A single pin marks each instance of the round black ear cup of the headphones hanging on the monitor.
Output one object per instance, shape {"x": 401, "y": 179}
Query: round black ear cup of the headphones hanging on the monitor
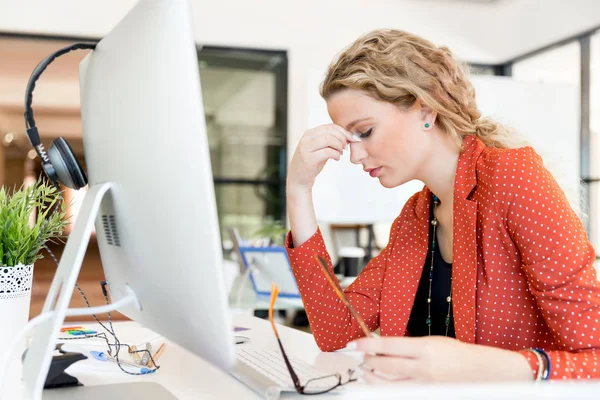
{"x": 67, "y": 167}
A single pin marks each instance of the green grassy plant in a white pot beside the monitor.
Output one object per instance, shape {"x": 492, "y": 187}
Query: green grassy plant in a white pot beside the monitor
{"x": 30, "y": 217}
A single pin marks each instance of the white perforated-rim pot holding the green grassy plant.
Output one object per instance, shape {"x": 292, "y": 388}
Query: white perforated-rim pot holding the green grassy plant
{"x": 15, "y": 301}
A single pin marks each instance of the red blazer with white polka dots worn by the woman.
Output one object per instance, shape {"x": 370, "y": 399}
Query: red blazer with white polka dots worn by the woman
{"x": 523, "y": 272}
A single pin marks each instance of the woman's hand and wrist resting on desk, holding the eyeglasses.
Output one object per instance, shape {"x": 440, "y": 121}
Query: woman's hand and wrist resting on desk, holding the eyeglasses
{"x": 438, "y": 359}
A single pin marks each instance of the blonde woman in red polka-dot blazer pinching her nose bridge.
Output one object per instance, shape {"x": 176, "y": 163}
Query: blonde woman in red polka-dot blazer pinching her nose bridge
{"x": 488, "y": 273}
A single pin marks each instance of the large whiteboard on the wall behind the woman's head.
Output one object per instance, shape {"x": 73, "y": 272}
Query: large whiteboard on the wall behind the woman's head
{"x": 545, "y": 114}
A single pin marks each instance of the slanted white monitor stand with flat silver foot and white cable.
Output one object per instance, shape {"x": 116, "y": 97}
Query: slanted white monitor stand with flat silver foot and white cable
{"x": 56, "y": 308}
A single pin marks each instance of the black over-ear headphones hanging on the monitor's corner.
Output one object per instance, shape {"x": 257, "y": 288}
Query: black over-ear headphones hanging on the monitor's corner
{"x": 60, "y": 163}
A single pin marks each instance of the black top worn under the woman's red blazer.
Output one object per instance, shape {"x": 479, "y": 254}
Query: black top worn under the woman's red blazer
{"x": 440, "y": 289}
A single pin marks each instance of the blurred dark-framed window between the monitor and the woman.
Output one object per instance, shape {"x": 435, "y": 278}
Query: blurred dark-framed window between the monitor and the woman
{"x": 245, "y": 101}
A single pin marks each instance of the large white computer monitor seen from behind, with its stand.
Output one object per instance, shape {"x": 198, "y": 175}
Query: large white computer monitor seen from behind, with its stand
{"x": 151, "y": 186}
